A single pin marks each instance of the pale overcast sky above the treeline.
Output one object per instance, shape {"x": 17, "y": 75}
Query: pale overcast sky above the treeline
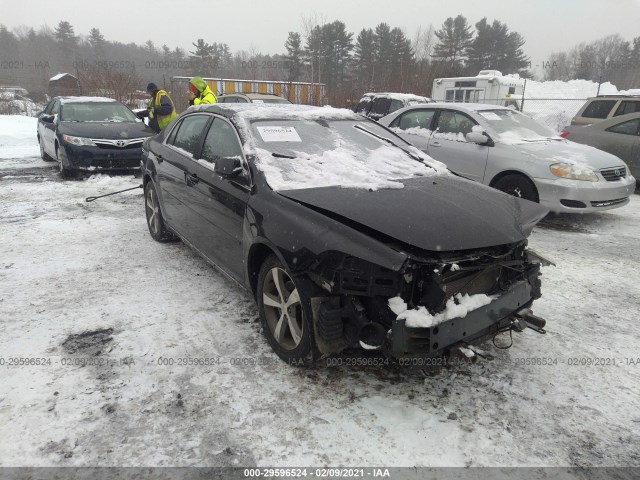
{"x": 547, "y": 25}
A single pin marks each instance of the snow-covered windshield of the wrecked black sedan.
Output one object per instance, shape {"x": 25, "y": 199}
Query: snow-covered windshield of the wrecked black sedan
{"x": 307, "y": 153}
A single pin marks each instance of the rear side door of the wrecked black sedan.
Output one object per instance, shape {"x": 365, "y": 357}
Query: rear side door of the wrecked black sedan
{"x": 174, "y": 158}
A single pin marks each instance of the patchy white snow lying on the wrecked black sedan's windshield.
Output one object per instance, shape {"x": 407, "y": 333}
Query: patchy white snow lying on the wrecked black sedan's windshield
{"x": 373, "y": 170}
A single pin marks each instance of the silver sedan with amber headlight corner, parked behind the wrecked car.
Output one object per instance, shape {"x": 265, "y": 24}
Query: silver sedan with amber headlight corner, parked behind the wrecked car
{"x": 510, "y": 151}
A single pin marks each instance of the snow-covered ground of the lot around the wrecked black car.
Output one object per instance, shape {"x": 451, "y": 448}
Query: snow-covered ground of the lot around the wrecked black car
{"x": 125, "y": 325}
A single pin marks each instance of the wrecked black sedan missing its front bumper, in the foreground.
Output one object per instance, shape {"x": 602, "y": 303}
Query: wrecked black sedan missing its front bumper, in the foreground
{"x": 345, "y": 235}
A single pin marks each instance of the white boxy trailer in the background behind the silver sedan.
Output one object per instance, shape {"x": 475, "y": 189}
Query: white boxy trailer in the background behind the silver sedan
{"x": 489, "y": 86}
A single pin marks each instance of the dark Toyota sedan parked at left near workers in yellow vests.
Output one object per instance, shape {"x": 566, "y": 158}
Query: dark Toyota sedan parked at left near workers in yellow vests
{"x": 91, "y": 134}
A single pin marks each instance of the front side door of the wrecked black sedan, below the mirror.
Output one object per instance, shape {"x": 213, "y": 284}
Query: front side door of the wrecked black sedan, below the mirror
{"x": 220, "y": 201}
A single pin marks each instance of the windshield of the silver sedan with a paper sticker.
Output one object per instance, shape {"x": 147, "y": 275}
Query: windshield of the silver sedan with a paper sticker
{"x": 514, "y": 127}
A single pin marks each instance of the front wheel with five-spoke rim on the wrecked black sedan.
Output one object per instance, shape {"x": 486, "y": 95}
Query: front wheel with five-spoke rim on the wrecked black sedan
{"x": 285, "y": 314}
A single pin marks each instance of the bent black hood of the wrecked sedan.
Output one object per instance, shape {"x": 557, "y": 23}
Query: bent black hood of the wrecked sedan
{"x": 442, "y": 213}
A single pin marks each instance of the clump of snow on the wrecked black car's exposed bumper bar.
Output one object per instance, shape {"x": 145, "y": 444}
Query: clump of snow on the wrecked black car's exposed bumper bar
{"x": 456, "y": 307}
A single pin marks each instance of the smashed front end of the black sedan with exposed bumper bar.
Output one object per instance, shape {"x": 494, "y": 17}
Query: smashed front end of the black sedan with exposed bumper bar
{"x": 498, "y": 284}
